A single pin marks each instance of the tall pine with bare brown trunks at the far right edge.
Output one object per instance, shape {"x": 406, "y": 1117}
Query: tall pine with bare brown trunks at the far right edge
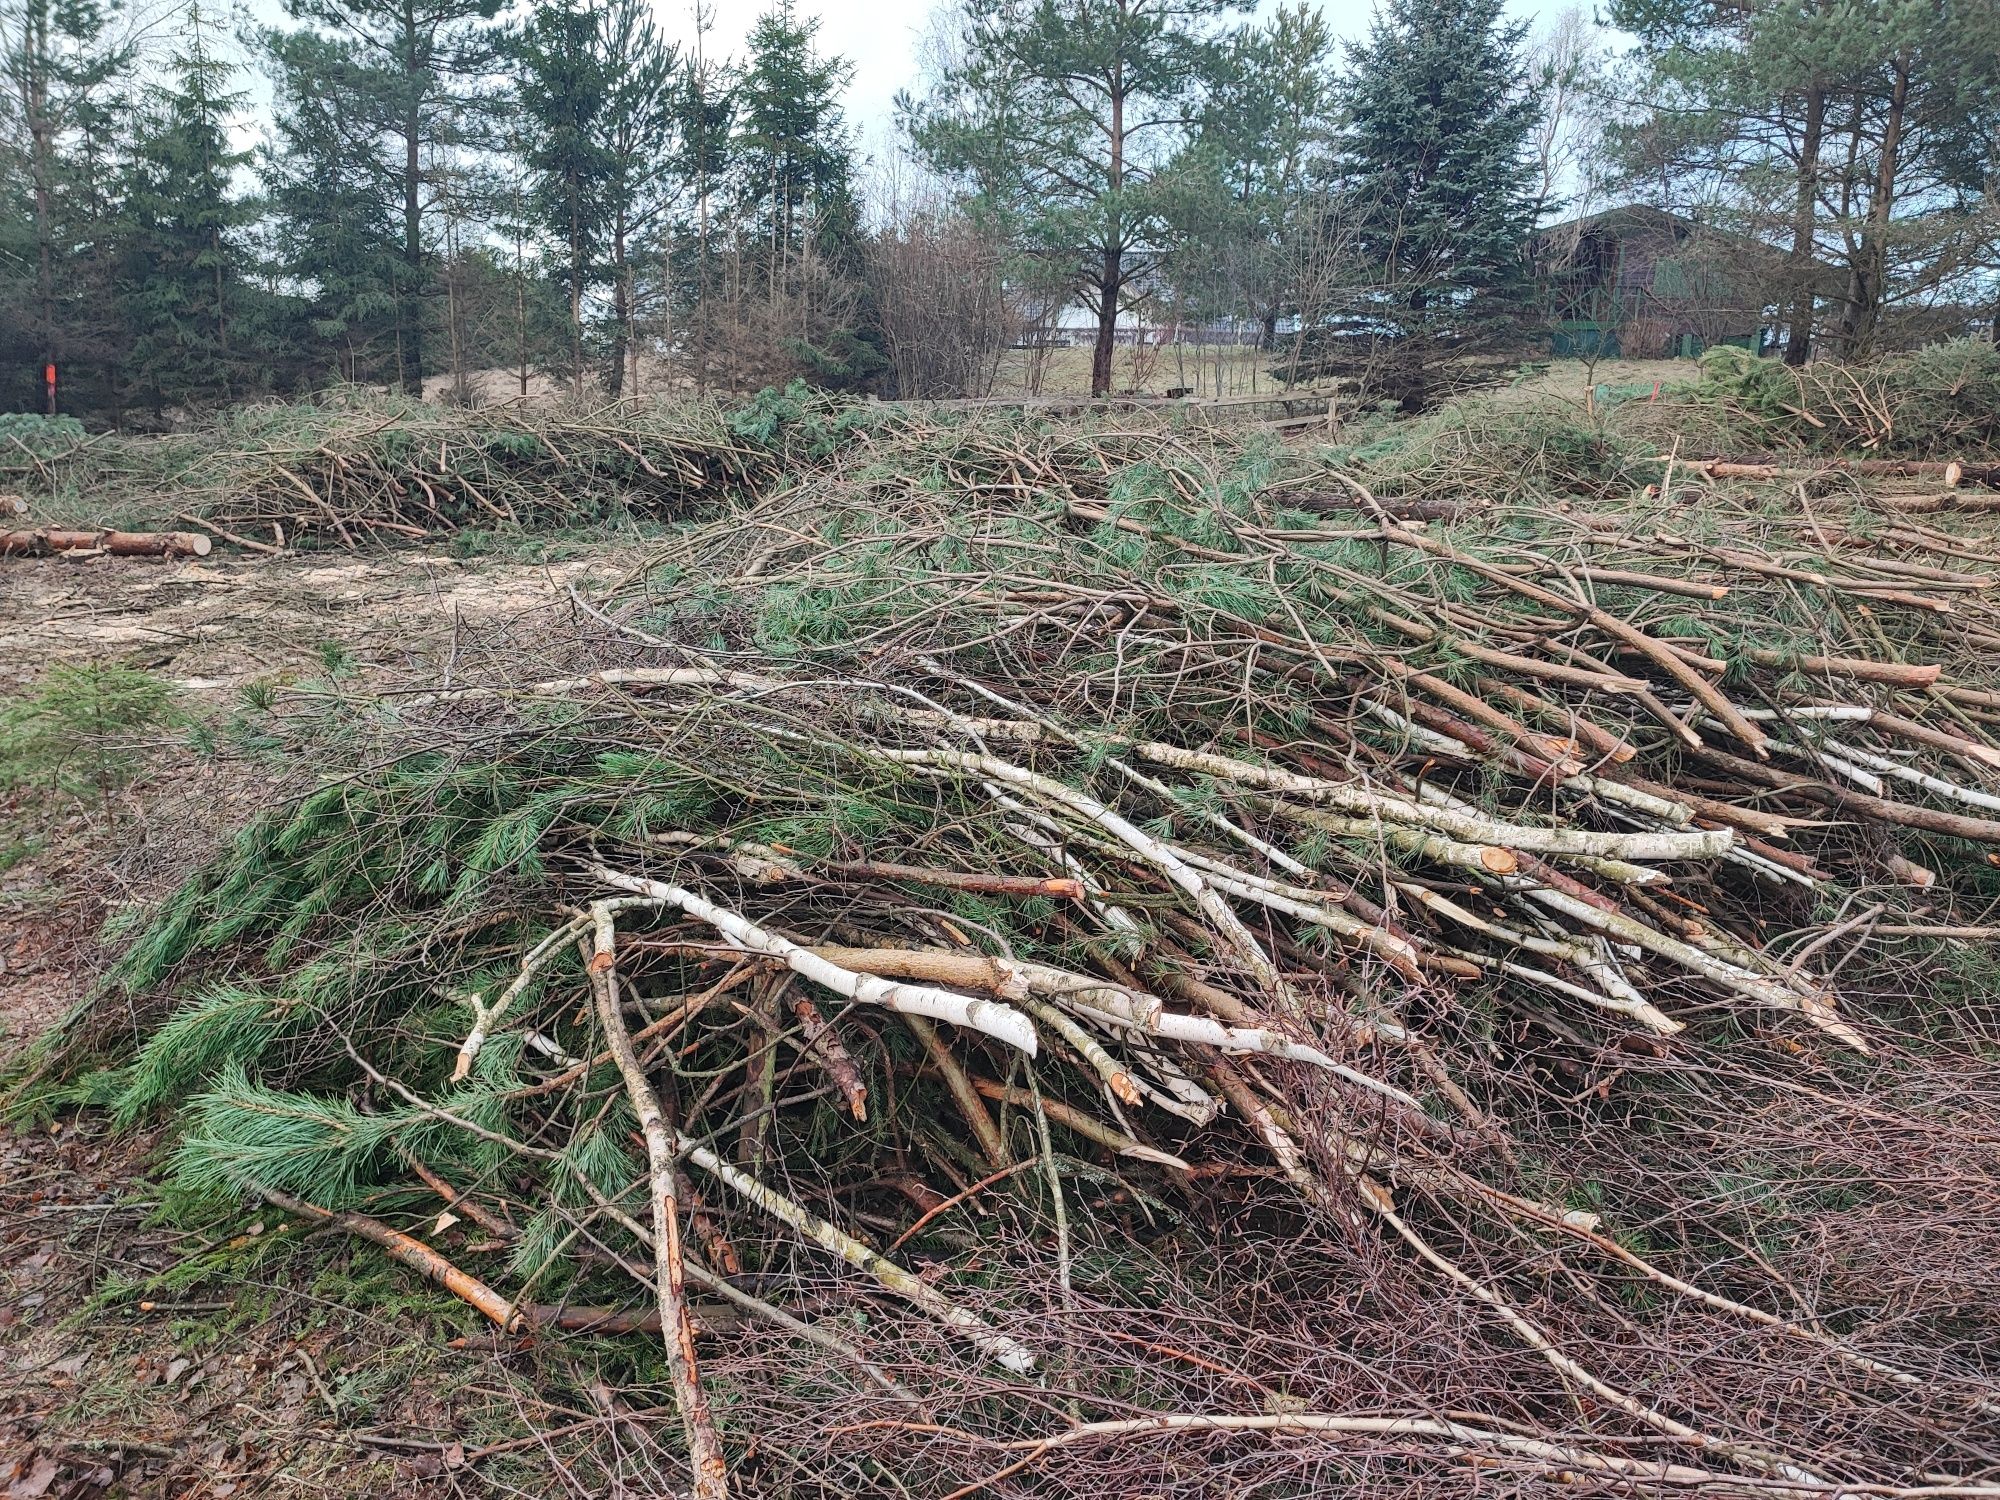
{"x": 1861, "y": 137}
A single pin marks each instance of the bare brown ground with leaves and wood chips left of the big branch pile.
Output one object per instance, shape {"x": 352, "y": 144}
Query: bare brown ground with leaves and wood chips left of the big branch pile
{"x": 237, "y": 1375}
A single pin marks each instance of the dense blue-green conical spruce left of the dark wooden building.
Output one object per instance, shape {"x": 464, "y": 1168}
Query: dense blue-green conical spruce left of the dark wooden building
{"x": 1441, "y": 199}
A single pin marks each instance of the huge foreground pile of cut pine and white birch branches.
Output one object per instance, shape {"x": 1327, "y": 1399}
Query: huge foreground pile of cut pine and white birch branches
{"x": 1101, "y": 967}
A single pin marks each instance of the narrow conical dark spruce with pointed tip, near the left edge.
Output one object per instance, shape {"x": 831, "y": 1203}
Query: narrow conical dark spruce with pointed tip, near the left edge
{"x": 181, "y": 265}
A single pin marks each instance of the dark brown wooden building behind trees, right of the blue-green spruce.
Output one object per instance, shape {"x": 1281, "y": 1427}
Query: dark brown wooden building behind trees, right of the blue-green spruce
{"x": 1643, "y": 283}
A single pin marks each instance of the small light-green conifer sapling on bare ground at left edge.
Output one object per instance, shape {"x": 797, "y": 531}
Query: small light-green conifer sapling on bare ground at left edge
{"x": 83, "y": 731}
